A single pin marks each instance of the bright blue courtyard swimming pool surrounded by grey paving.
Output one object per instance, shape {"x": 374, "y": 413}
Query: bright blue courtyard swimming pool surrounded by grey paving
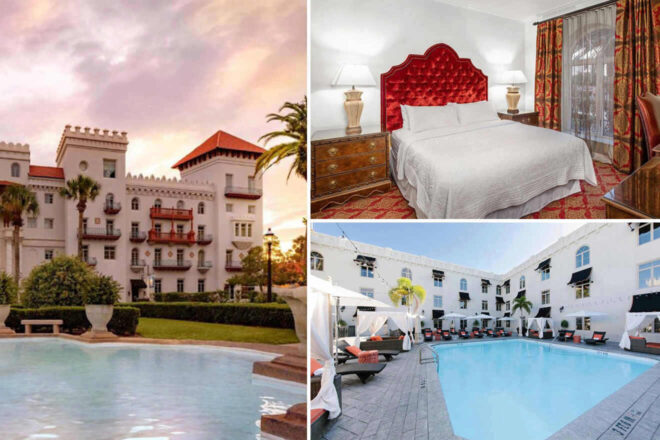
{"x": 524, "y": 390}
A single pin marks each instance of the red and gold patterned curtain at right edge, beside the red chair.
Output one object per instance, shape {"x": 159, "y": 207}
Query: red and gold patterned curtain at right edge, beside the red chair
{"x": 636, "y": 59}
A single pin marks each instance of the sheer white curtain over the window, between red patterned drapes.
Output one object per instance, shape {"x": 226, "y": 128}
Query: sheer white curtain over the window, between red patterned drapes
{"x": 588, "y": 79}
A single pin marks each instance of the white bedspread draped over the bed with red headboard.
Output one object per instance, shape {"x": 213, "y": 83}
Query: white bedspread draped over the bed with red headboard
{"x": 471, "y": 171}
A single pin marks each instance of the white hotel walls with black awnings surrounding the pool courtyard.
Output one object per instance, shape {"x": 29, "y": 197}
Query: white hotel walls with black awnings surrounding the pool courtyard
{"x": 597, "y": 268}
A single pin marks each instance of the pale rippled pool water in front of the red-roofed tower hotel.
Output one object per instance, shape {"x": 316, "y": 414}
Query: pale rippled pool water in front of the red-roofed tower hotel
{"x": 58, "y": 389}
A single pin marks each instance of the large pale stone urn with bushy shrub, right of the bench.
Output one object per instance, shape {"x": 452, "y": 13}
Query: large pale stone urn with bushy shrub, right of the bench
{"x": 99, "y": 306}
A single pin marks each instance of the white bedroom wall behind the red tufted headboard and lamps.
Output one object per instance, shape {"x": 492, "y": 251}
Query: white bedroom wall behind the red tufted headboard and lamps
{"x": 382, "y": 33}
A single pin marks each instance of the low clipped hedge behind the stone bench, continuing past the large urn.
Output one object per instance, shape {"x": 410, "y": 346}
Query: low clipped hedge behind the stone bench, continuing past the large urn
{"x": 124, "y": 319}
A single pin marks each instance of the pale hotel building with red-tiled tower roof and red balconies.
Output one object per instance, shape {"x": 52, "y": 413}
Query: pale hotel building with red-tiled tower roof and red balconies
{"x": 185, "y": 235}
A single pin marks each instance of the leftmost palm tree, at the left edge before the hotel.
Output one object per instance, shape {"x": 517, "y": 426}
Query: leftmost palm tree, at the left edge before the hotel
{"x": 15, "y": 201}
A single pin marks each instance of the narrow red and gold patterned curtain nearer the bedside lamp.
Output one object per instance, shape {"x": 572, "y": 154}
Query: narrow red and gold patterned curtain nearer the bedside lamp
{"x": 547, "y": 88}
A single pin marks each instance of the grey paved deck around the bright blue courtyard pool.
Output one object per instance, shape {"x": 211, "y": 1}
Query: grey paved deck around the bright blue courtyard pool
{"x": 405, "y": 401}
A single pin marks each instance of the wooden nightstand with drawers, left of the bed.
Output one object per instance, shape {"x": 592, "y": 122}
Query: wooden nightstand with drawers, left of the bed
{"x": 348, "y": 166}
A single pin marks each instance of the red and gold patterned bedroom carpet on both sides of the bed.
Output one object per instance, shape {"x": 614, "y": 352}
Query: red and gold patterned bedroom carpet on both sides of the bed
{"x": 392, "y": 205}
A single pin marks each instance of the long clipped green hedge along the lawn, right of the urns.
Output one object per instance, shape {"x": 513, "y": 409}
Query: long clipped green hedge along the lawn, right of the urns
{"x": 262, "y": 315}
